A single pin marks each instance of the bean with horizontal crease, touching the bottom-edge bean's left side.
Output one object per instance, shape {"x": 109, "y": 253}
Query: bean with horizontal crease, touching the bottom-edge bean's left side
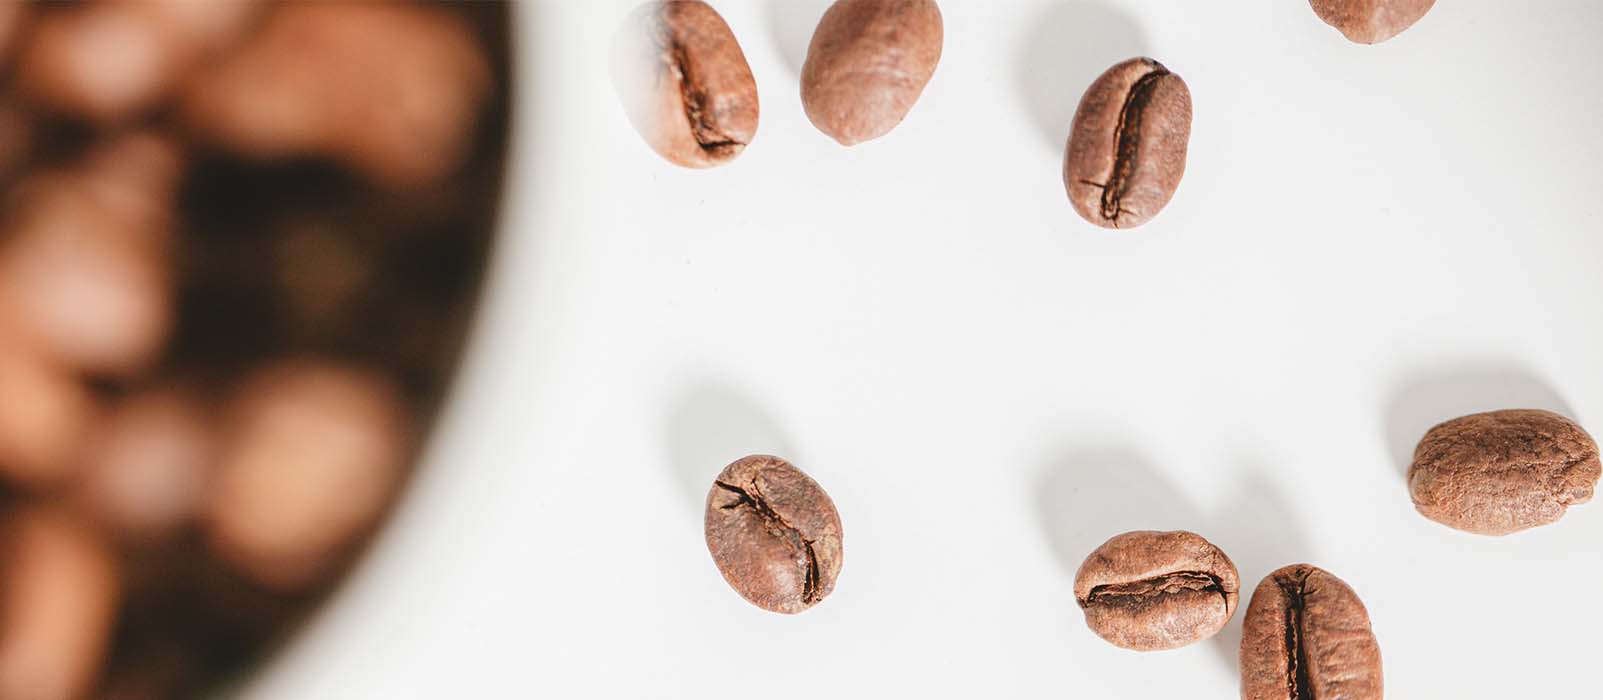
{"x": 1157, "y": 590}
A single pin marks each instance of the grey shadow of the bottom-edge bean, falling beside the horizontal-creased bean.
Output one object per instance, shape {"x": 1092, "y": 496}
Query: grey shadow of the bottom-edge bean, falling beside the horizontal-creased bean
{"x": 1261, "y": 533}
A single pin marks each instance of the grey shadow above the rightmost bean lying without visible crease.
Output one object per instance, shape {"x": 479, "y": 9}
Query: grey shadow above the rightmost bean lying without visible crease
{"x": 1435, "y": 398}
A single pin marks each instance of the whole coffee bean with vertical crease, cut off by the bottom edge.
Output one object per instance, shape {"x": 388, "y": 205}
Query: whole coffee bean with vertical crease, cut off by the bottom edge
{"x": 1307, "y": 638}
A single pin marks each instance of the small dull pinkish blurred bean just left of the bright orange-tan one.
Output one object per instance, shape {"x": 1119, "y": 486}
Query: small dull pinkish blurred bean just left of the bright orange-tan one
{"x": 147, "y": 465}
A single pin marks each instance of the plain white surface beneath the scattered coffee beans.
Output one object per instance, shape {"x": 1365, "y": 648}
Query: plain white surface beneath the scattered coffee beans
{"x": 1370, "y": 239}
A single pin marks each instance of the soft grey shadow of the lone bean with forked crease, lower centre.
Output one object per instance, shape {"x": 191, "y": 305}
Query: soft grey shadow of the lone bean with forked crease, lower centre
{"x": 708, "y": 427}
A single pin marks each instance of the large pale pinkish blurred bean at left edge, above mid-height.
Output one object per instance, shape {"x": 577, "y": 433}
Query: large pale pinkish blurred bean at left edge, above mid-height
{"x": 86, "y": 268}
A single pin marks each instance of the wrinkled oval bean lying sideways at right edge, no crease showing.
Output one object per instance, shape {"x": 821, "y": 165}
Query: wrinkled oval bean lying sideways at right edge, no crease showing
{"x": 1503, "y": 472}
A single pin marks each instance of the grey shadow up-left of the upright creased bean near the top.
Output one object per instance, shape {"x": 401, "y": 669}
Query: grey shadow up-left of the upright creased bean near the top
{"x": 1068, "y": 47}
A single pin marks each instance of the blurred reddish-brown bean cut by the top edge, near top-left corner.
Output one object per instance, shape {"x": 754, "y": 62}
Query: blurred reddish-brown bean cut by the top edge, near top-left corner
{"x": 110, "y": 62}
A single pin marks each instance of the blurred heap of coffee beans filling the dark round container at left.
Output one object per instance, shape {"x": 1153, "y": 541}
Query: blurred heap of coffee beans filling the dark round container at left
{"x": 240, "y": 246}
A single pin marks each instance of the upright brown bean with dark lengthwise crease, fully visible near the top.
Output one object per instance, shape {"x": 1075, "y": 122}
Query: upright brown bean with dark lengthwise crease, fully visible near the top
{"x": 1128, "y": 150}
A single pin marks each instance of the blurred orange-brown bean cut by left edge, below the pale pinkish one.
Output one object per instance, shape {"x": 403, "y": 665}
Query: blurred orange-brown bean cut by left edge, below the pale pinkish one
{"x": 44, "y": 416}
